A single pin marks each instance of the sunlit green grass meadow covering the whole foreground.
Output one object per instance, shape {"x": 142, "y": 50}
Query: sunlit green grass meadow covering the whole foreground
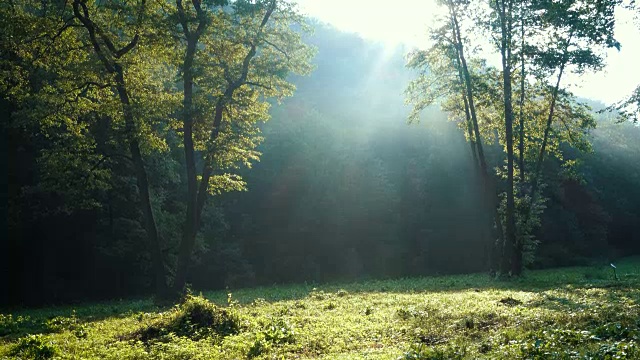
{"x": 569, "y": 313}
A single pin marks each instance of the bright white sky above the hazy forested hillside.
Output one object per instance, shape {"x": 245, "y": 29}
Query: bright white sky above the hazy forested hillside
{"x": 406, "y": 21}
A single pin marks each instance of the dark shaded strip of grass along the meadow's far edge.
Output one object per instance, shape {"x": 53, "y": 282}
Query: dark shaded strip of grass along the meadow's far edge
{"x": 61, "y": 318}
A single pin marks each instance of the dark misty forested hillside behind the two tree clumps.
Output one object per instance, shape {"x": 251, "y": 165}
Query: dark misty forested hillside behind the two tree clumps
{"x": 344, "y": 189}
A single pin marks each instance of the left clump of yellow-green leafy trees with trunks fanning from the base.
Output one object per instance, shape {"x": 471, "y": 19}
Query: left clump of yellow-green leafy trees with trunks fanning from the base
{"x": 129, "y": 57}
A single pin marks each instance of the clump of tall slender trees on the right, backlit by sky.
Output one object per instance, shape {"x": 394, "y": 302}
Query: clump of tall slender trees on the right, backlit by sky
{"x": 566, "y": 35}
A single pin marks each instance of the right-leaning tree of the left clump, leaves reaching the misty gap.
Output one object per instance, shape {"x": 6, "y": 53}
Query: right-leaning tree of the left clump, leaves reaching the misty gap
{"x": 236, "y": 74}
